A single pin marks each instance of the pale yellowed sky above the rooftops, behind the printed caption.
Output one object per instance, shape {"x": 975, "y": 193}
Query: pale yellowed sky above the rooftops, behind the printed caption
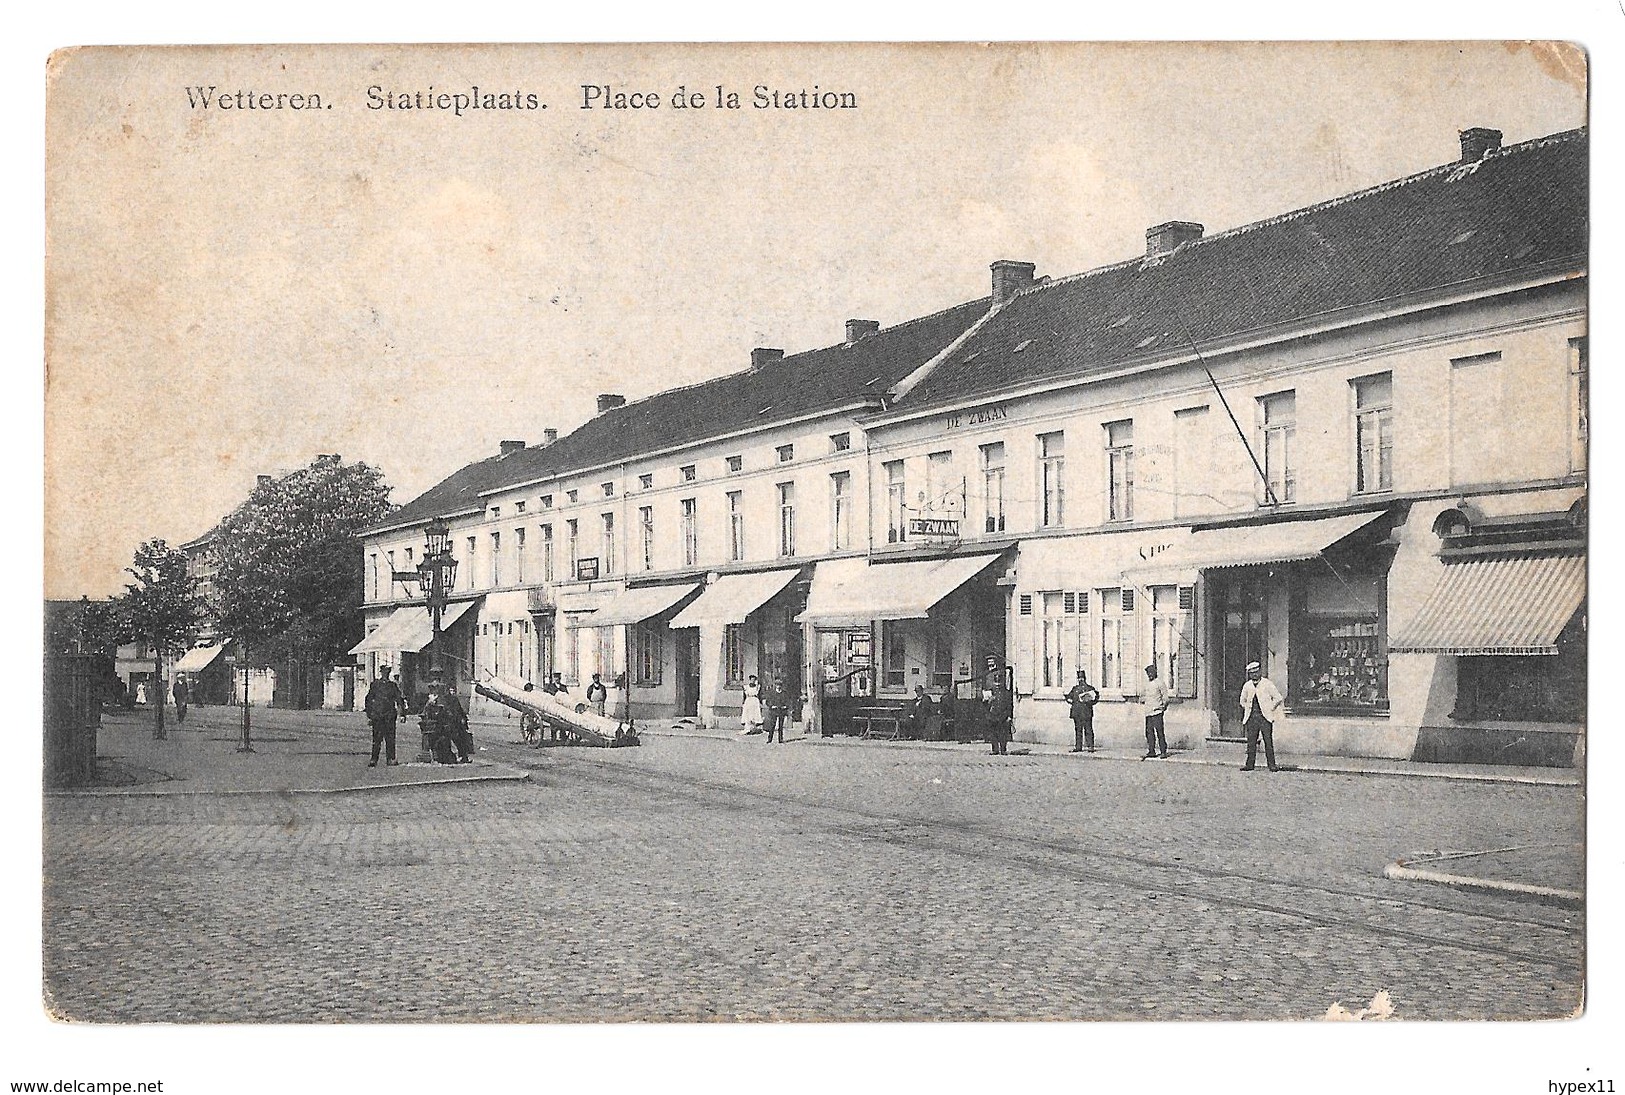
{"x": 235, "y": 292}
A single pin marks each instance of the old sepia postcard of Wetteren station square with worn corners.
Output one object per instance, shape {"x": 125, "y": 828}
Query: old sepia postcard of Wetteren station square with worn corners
{"x": 622, "y": 534}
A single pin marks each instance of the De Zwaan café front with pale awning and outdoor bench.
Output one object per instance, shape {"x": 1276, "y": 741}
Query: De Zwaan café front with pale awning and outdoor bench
{"x": 882, "y": 631}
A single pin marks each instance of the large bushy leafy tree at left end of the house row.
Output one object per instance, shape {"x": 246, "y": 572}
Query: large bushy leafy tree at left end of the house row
{"x": 288, "y": 566}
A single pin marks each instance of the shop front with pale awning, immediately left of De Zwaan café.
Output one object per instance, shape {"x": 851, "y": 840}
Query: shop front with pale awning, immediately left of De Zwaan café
{"x": 740, "y": 626}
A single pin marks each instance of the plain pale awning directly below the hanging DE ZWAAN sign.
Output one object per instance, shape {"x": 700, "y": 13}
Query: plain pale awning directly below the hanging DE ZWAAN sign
{"x": 851, "y": 592}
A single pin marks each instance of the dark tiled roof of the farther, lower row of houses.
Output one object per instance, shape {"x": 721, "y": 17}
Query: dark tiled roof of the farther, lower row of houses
{"x": 781, "y": 391}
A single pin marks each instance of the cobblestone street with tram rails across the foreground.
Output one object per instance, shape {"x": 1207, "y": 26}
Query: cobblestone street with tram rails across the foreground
{"x": 730, "y": 880}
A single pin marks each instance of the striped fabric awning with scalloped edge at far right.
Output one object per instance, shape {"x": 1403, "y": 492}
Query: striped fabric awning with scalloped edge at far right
{"x": 1502, "y": 605}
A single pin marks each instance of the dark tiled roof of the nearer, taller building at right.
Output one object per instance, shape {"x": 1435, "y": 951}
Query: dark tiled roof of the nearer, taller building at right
{"x": 1515, "y": 210}
